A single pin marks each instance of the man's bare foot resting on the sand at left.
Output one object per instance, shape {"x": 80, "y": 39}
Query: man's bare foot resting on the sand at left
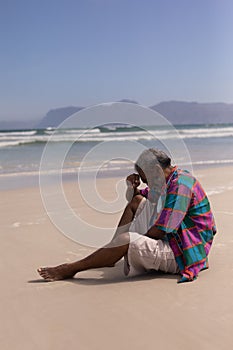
{"x": 56, "y": 273}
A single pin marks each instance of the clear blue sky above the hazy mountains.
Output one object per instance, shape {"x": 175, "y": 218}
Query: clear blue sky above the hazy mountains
{"x": 57, "y": 53}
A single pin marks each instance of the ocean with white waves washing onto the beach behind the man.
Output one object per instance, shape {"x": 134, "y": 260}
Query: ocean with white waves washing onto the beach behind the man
{"x": 107, "y": 150}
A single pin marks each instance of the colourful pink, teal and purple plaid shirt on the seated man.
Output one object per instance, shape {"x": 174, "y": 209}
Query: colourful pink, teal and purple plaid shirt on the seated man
{"x": 188, "y": 222}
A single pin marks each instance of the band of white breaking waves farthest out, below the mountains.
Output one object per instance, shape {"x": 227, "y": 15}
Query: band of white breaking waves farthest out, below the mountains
{"x": 101, "y": 134}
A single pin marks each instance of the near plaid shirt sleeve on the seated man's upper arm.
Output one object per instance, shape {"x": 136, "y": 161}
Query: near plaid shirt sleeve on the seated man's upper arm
{"x": 176, "y": 205}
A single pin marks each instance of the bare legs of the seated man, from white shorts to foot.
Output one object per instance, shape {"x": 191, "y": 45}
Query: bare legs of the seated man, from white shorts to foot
{"x": 103, "y": 257}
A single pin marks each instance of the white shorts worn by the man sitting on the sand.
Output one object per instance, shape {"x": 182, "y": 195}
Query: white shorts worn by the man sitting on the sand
{"x": 144, "y": 253}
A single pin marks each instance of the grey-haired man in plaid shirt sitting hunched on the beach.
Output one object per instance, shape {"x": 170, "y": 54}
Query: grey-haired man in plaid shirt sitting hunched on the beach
{"x": 168, "y": 226}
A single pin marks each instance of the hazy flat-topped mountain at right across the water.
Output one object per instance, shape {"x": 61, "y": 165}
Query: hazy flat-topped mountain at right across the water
{"x": 195, "y": 113}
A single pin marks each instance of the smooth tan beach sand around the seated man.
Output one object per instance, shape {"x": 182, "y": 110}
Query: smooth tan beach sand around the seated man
{"x": 102, "y": 309}
